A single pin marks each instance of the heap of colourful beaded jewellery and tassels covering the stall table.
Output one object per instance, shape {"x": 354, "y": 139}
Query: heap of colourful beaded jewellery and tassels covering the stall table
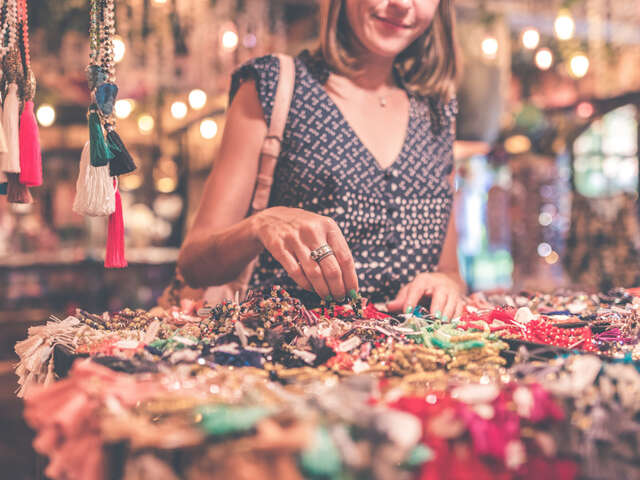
{"x": 267, "y": 388}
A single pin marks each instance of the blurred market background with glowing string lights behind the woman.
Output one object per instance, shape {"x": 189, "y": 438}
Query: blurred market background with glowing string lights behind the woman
{"x": 547, "y": 151}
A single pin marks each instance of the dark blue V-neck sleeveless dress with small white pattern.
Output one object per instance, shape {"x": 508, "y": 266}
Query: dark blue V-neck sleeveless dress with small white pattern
{"x": 394, "y": 219}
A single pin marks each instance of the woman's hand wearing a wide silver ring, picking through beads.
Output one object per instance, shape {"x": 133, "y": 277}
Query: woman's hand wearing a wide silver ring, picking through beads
{"x": 290, "y": 234}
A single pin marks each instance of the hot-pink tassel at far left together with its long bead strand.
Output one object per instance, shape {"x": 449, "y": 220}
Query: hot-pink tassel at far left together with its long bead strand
{"x": 29, "y": 137}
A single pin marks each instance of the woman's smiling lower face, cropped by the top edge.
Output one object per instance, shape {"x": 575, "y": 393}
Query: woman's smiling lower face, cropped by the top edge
{"x": 387, "y": 27}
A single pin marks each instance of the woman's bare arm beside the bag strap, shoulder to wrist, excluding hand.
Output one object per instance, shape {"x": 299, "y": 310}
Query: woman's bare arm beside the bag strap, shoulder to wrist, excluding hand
{"x": 221, "y": 241}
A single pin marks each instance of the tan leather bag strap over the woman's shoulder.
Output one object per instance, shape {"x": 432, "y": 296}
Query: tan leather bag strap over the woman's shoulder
{"x": 273, "y": 141}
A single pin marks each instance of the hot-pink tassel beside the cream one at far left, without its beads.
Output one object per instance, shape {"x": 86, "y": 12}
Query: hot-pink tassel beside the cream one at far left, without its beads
{"x": 30, "y": 154}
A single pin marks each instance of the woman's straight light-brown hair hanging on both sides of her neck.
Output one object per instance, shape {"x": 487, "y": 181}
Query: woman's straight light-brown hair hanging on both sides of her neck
{"x": 429, "y": 66}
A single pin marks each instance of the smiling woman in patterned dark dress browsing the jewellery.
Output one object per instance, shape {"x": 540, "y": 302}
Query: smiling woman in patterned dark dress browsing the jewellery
{"x": 365, "y": 166}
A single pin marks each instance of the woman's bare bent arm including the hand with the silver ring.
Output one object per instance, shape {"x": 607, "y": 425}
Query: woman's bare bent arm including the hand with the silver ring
{"x": 222, "y": 242}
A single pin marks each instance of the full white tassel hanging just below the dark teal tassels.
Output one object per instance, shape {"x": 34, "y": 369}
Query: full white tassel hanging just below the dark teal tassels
{"x": 95, "y": 193}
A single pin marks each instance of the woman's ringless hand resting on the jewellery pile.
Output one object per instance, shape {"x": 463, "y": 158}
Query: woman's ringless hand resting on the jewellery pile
{"x": 445, "y": 289}
